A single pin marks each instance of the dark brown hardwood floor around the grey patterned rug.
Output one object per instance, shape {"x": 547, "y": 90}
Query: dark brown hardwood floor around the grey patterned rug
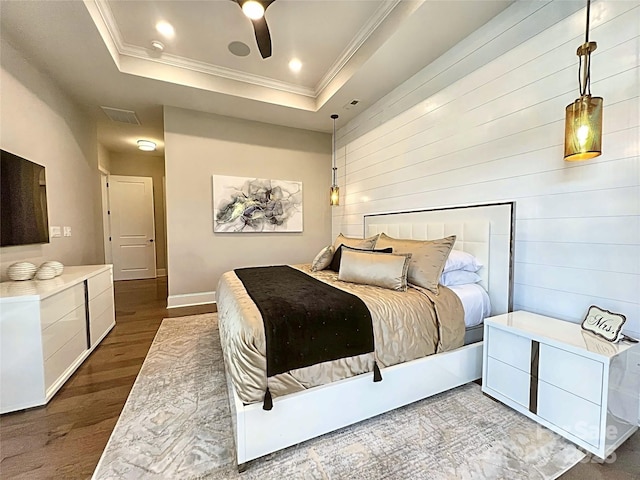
{"x": 65, "y": 438}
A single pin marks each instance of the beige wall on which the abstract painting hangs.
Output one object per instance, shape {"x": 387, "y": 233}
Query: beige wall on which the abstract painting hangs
{"x": 198, "y": 146}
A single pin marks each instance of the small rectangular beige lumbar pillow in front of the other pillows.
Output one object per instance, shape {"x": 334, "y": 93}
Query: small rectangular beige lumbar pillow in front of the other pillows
{"x": 386, "y": 270}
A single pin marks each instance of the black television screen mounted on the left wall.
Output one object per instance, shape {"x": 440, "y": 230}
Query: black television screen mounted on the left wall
{"x": 23, "y": 202}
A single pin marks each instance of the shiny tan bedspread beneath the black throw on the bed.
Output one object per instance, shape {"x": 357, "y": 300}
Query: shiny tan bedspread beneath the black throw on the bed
{"x": 406, "y": 325}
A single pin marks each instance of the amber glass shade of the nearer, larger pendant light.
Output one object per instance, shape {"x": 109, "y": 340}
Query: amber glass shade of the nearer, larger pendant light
{"x": 583, "y": 129}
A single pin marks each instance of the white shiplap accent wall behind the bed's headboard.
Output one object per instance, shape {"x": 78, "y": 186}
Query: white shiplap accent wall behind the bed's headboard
{"x": 495, "y": 133}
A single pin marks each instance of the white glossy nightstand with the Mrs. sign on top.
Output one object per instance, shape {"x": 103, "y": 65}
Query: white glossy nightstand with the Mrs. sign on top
{"x": 576, "y": 384}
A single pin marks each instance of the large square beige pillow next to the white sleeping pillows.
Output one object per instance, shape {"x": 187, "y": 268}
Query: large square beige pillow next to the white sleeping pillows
{"x": 427, "y": 260}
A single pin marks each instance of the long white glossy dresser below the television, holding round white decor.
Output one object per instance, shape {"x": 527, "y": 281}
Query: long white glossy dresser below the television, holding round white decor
{"x": 48, "y": 328}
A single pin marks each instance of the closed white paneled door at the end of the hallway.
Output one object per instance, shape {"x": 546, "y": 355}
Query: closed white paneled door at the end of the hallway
{"x": 132, "y": 227}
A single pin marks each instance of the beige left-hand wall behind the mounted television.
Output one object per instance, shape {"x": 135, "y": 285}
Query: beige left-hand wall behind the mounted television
{"x": 41, "y": 124}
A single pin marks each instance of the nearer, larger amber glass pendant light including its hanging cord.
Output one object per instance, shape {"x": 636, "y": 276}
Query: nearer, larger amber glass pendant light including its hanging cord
{"x": 583, "y": 120}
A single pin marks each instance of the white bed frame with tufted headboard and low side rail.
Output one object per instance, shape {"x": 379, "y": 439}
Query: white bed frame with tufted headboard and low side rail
{"x": 486, "y": 231}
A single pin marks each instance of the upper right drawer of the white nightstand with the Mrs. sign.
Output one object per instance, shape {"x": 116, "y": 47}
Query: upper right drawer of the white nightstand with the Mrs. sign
{"x": 571, "y": 372}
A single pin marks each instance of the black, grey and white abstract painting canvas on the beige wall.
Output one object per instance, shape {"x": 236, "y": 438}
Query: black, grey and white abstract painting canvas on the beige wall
{"x": 242, "y": 204}
